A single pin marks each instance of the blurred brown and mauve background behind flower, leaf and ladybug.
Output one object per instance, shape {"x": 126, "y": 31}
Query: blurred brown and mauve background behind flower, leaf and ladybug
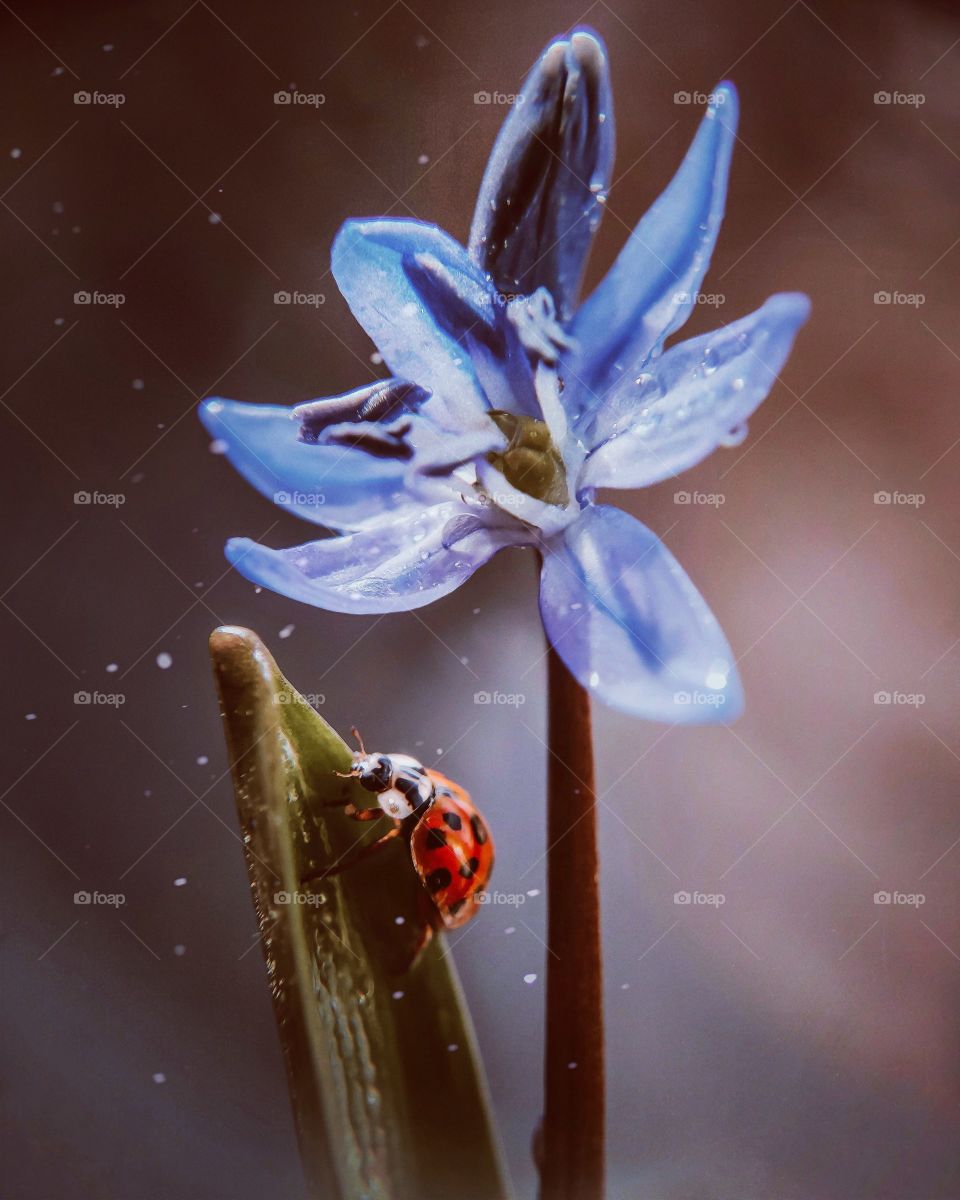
{"x": 799, "y": 1040}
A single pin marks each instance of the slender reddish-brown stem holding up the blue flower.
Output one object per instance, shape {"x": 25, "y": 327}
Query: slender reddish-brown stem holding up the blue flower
{"x": 573, "y": 1133}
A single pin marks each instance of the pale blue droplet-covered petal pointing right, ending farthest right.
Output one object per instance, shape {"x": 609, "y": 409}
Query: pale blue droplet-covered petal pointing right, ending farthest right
{"x": 698, "y": 397}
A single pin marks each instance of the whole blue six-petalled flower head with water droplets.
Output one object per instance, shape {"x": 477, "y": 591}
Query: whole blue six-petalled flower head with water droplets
{"x": 509, "y": 404}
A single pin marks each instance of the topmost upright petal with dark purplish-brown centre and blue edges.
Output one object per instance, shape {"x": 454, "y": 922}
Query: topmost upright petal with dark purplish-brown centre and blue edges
{"x": 544, "y": 188}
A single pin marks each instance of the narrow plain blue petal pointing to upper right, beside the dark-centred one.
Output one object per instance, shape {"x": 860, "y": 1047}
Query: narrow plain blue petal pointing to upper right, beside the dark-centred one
{"x": 651, "y": 290}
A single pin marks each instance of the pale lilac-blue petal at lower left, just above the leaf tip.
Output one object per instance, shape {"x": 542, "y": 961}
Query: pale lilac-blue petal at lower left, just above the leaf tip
{"x": 391, "y": 567}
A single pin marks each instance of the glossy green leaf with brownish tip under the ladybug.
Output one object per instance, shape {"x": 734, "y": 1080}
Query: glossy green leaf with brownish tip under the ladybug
{"x": 385, "y": 1108}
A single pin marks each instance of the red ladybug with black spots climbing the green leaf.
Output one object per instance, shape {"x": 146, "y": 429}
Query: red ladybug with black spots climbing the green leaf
{"x": 449, "y": 842}
